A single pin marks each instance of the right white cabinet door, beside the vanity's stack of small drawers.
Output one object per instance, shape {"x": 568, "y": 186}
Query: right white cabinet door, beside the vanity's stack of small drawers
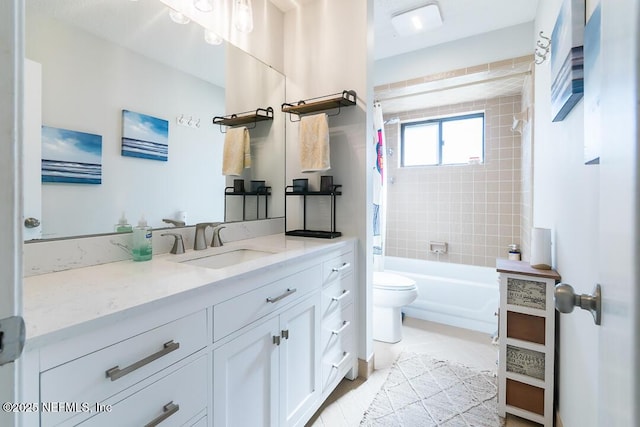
{"x": 299, "y": 360}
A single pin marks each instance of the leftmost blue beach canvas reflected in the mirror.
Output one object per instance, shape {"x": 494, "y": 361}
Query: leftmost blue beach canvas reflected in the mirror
{"x": 72, "y": 157}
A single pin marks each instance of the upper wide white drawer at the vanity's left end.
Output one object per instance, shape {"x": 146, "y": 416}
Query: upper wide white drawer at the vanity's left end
{"x": 91, "y": 378}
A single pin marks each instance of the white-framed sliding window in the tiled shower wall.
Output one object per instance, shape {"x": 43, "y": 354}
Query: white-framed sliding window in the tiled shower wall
{"x": 443, "y": 141}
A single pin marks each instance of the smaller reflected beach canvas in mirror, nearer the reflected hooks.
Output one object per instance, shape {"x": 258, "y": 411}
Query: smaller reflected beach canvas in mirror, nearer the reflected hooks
{"x": 145, "y": 137}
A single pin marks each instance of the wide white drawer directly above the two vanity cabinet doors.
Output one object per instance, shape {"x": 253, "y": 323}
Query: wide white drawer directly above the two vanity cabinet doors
{"x": 231, "y": 315}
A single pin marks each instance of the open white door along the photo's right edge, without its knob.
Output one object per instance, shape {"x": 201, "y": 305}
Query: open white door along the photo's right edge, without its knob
{"x": 619, "y": 376}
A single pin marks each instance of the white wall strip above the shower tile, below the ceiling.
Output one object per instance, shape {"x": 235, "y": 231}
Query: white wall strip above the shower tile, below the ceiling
{"x": 506, "y": 43}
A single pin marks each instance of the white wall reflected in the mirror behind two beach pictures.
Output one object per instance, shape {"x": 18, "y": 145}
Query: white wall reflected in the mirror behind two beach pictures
{"x": 87, "y": 82}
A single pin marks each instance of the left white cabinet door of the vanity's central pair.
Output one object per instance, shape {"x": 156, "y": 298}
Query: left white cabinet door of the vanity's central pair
{"x": 246, "y": 372}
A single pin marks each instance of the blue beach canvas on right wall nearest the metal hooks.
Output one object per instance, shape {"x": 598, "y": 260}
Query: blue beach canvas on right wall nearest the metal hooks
{"x": 567, "y": 59}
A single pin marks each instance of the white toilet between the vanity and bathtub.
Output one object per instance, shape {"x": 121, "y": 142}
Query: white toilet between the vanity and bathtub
{"x": 390, "y": 293}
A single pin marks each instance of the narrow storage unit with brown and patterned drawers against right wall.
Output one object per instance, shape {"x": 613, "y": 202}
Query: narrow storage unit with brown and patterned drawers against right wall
{"x": 527, "y": 333}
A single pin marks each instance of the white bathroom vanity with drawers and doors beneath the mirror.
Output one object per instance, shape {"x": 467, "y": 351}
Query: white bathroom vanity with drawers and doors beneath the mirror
{"x": 261, "y": 346}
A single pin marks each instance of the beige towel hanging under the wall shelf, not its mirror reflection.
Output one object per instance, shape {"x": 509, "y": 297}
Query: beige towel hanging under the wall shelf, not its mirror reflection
{"x": 314, "y": 143}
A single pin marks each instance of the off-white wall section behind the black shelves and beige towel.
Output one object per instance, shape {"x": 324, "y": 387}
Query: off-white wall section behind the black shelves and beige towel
{"x": 327, "y": 50}
